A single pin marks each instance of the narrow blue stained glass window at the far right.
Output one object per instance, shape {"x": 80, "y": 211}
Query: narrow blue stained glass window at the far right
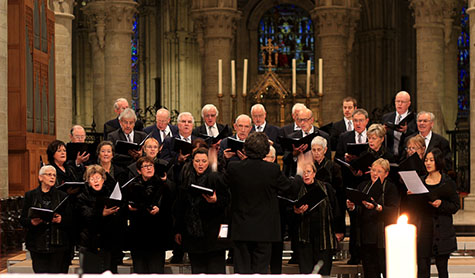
{"x": 464, "y": 66}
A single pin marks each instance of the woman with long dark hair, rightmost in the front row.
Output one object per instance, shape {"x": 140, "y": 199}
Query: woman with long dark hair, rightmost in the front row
{"x": 433, "y": 216}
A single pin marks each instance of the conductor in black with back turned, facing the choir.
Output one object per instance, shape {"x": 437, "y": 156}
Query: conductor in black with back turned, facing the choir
{"x": 254, "y": 185}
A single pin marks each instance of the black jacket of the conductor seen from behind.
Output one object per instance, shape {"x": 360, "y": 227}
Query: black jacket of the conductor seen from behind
{"x": 254, "y": 186}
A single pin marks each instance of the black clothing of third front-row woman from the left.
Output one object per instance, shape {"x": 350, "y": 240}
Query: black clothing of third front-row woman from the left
{"x": 149, "y": 235}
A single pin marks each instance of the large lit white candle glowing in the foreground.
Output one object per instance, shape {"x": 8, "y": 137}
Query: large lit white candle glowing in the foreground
{"x": 401, "y": 249}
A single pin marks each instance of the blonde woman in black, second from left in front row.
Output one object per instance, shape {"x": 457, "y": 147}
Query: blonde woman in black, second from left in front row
{"x": 101, "y": 226}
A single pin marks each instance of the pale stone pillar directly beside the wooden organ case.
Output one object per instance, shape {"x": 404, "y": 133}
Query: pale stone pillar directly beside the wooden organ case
{"x": 63, "y": 14}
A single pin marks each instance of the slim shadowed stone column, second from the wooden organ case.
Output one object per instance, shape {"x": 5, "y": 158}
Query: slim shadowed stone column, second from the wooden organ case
{"x": 96, "y": 14}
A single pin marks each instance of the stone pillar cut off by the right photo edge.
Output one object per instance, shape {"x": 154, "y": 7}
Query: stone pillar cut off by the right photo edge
{"x": 469, "y": 201}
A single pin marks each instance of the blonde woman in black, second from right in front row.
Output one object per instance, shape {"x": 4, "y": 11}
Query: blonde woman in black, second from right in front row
{"x": 372, "y": 217}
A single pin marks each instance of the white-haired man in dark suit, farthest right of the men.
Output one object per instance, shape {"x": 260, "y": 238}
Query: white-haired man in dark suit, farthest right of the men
{"x": 425, "y": 123}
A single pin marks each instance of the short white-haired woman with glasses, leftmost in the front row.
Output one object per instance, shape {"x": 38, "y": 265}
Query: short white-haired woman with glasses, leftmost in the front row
{"x": 47, "y": 241}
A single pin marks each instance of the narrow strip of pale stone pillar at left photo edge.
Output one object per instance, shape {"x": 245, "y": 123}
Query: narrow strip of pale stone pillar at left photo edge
{"x": 4, "y": 99}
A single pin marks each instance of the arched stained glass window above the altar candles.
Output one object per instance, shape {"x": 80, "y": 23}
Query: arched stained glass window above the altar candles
{"x": 291, "y": 28}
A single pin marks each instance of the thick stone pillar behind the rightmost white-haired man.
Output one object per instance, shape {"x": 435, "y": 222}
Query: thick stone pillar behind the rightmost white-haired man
{"x": 430, "y": 47}
